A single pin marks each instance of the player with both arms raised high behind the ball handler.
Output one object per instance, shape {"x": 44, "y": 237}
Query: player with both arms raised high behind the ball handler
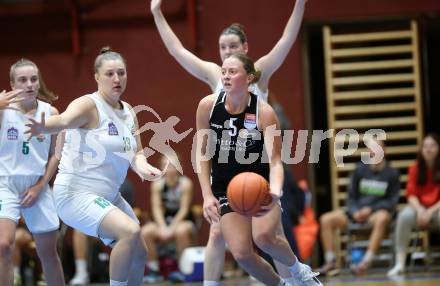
{"x": 232, "y": 40}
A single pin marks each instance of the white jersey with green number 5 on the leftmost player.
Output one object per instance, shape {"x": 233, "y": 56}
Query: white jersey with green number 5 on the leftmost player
{"x": 18, "y": 155}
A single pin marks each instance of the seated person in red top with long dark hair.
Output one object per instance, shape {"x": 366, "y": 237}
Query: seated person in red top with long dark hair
{"x": 423, "y": 194}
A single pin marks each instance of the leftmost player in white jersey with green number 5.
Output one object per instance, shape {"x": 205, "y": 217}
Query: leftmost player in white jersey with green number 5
{"x": 26, "y": 167}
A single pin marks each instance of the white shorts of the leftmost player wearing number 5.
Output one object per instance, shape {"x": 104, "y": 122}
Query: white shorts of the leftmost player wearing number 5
{"x": 41, "y": 217}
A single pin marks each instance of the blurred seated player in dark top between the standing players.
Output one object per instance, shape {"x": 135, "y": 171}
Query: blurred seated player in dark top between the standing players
{"x": 171, "y": 198}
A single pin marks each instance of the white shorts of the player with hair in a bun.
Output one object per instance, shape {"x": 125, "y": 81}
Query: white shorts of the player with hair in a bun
{"x": 85, "y": 210}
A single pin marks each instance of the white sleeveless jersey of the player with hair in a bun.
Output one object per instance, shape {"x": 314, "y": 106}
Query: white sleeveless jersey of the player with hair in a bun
{"x": 99, "y": 157}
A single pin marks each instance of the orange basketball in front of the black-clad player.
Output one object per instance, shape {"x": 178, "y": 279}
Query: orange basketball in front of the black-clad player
{"x": 247, "y": 192}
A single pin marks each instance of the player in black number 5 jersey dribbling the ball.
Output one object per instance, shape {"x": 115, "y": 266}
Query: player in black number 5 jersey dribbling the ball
{"x": 238, "y": 119}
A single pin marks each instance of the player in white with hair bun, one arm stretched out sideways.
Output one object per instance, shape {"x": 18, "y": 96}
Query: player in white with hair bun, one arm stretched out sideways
{"x": 100, "y": 144}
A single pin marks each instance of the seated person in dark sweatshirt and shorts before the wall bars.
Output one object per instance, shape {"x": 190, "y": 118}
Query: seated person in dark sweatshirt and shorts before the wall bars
{"x": 373, "y": 193}
